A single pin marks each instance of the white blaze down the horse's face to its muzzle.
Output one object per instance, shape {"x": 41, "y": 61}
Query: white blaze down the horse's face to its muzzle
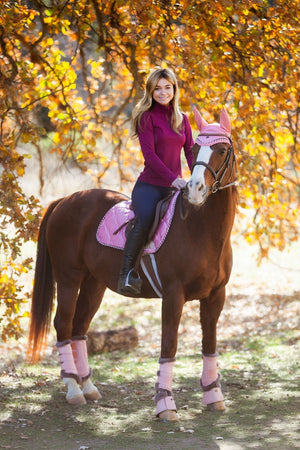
{"x": 197, "y": 190}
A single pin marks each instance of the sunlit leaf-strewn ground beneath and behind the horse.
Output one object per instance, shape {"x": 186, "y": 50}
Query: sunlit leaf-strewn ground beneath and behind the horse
{"x": 258, "y": 342}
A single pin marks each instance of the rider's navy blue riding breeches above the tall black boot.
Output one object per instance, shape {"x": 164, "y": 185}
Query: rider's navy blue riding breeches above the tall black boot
{"x": 144, "y": 200}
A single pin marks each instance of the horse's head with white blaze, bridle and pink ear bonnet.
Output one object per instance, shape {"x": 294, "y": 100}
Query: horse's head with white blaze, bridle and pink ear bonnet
{"x": 214, "y": 161}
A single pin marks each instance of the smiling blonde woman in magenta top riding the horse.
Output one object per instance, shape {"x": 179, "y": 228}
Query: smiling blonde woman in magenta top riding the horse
{"x": 162, "y": 131}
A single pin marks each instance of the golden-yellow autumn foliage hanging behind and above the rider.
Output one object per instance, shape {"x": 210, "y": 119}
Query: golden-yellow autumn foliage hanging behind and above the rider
{"x": 71, "y": 71}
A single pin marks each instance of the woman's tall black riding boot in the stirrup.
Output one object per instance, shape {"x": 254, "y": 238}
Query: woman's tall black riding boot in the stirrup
{"x": 129, "y": 281}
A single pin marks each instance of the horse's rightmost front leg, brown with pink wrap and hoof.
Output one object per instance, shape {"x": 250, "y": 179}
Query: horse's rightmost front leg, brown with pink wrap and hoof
{"x": 210, "y": 310}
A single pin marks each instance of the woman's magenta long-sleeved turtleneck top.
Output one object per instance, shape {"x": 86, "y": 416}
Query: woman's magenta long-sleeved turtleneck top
{"x": 161, "y": 146}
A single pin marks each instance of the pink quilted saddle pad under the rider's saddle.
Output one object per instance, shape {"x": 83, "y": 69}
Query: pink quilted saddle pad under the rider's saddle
{"x": 120, "y": 214}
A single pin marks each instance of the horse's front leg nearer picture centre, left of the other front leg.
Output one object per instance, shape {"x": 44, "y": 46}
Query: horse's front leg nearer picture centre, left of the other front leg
{"x": 172, "y": 305}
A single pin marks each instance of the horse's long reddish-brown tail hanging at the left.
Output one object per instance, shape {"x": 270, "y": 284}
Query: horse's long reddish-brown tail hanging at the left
{"x": 43, "y": 293}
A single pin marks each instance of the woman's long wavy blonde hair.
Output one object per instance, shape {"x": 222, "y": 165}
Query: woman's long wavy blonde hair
{"x": 146, "y": 102}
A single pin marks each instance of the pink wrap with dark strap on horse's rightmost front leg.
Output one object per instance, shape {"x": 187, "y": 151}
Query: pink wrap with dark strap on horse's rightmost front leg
{"x": 211, "y": 377}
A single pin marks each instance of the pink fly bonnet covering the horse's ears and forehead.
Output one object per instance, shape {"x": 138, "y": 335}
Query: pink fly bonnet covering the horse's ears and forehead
{"x": 213, "y": 133}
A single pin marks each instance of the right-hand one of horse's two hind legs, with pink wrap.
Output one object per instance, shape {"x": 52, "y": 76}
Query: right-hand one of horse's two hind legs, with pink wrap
{"x": 89, "y": 300}
